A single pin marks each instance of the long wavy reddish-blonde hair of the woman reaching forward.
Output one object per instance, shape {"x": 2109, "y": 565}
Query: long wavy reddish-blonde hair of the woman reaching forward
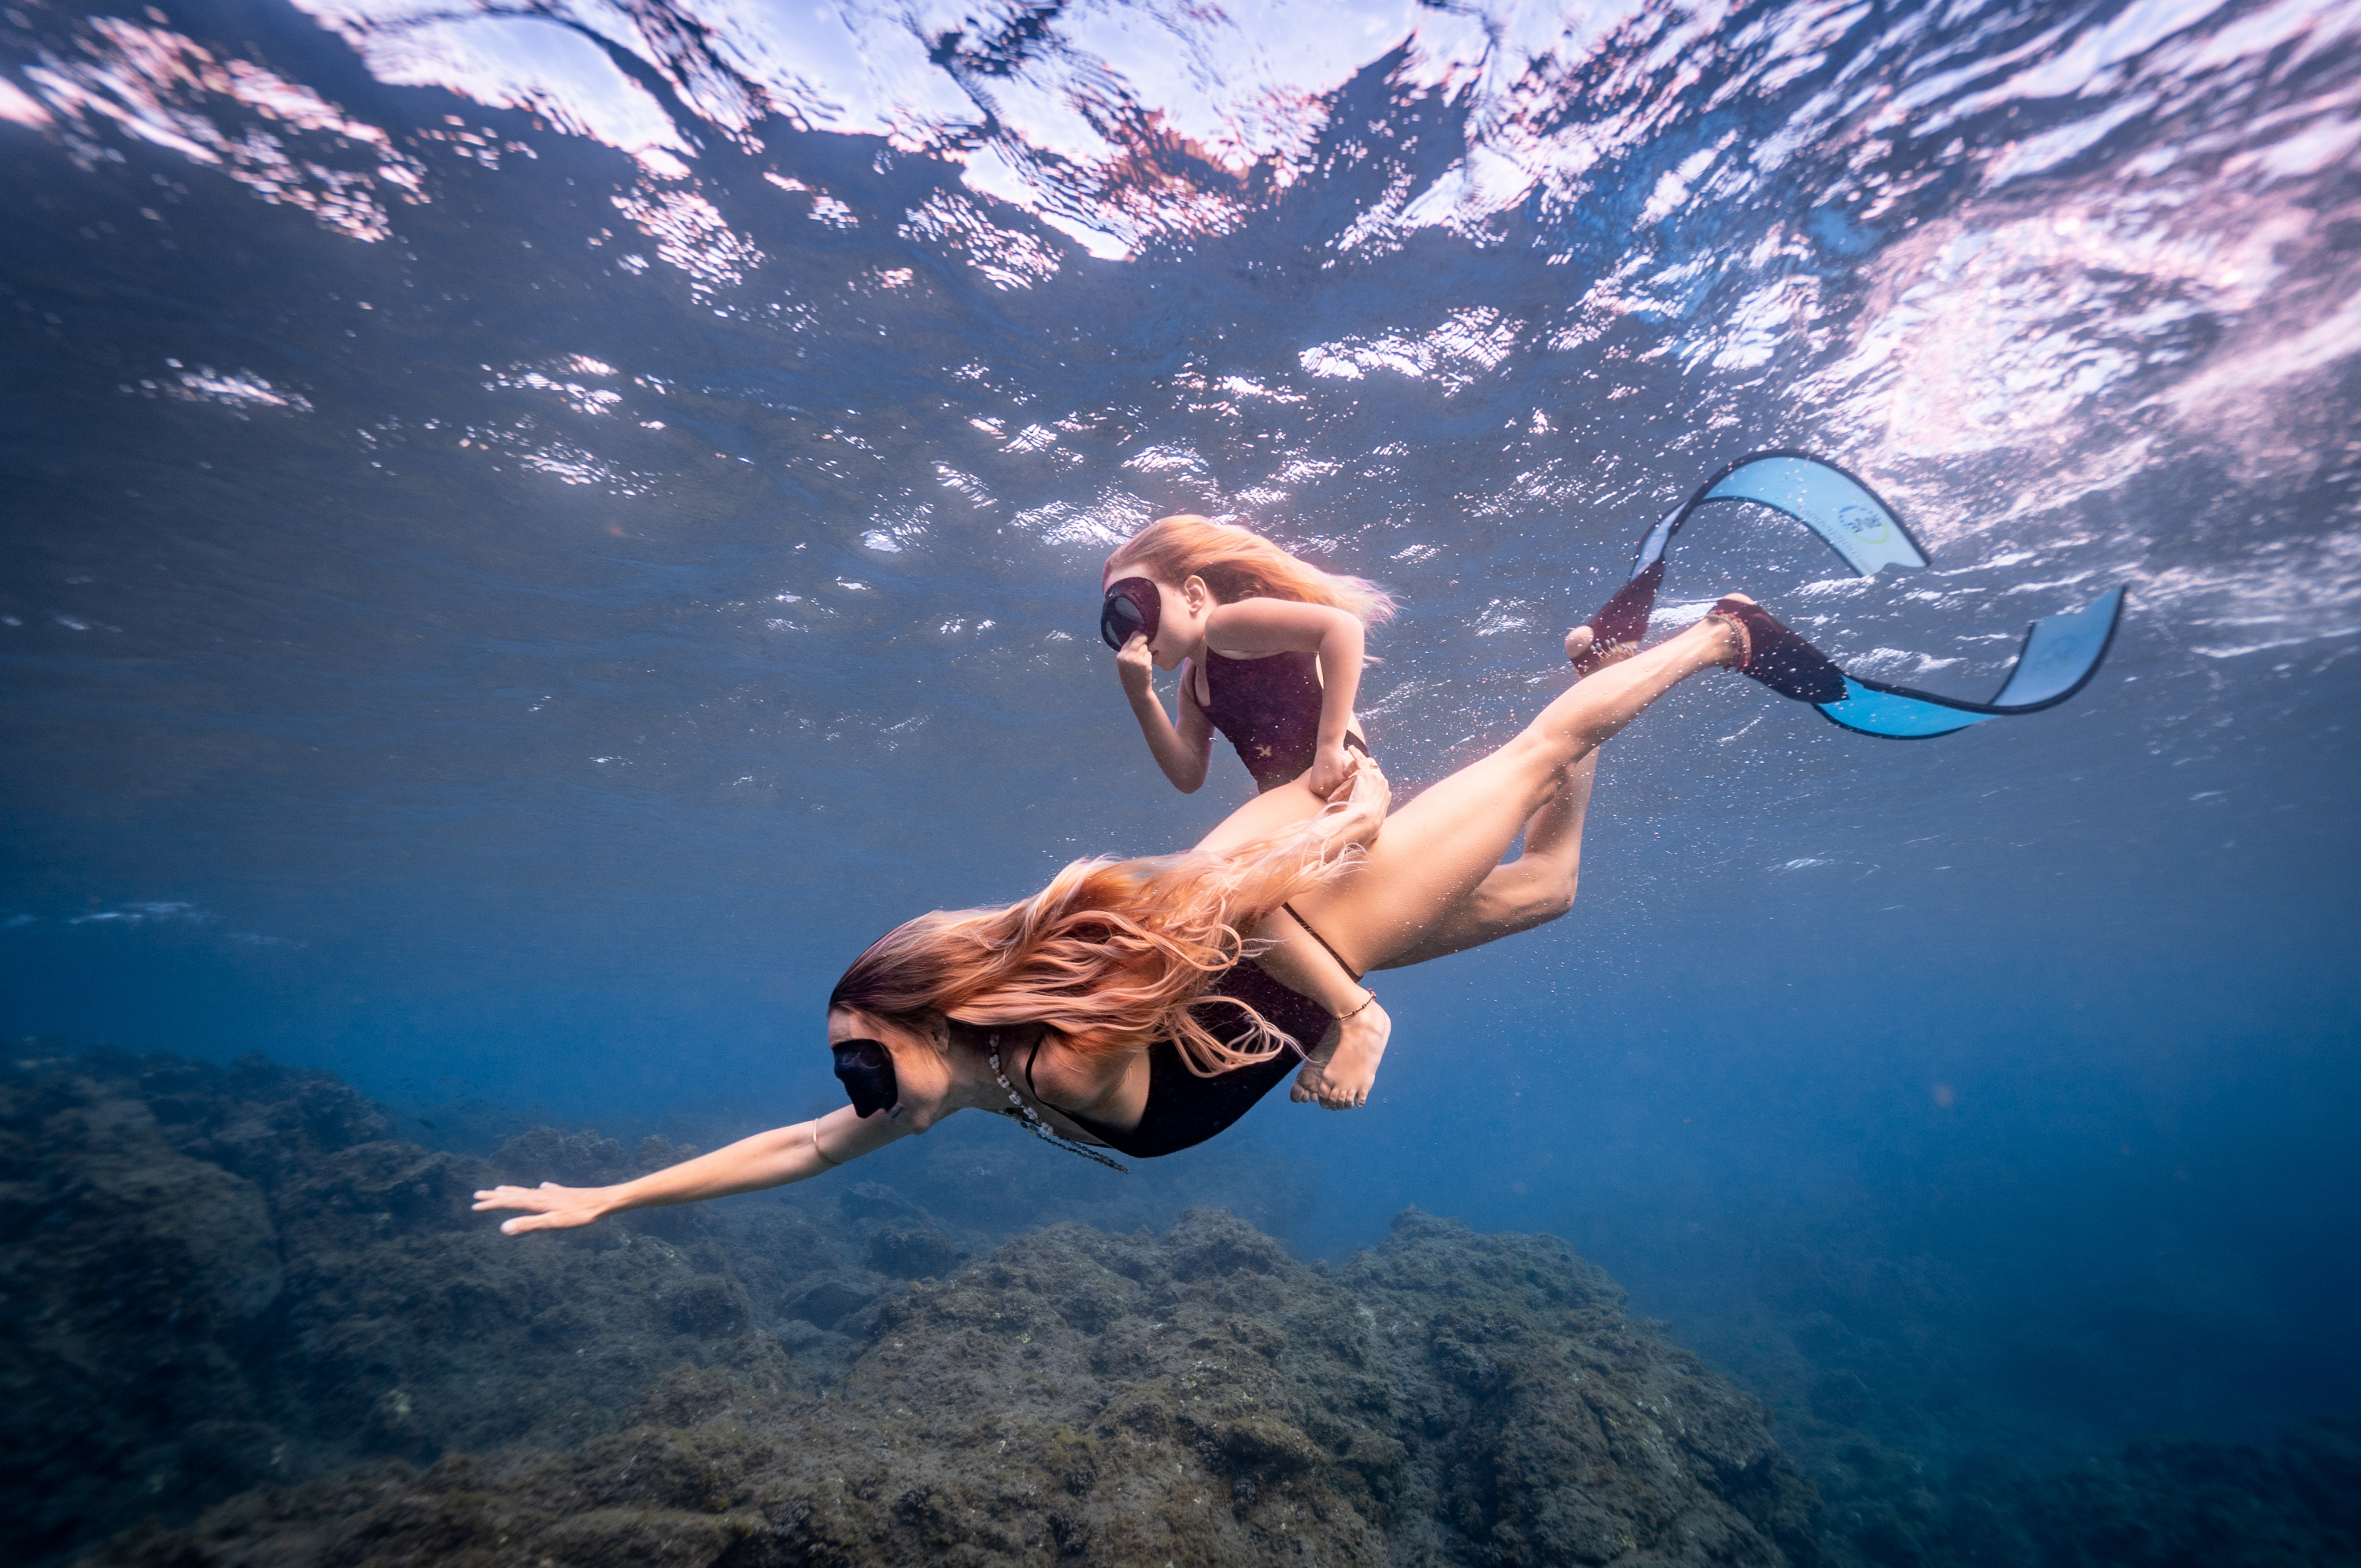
{"x": 1111, "y": 953}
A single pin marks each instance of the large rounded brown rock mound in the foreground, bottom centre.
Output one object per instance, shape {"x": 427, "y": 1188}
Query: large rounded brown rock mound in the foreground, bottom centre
{"x": 1104, "y": 1399}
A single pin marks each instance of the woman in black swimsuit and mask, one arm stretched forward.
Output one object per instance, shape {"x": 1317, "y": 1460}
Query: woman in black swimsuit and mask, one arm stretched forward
{"x": 1125, "y": 998}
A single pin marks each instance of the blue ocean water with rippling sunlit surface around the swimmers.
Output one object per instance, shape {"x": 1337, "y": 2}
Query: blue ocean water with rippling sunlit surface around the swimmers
{"x": 535, "y": 535}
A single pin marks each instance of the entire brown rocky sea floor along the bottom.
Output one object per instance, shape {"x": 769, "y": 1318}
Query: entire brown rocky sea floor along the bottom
{"x": 247, "y": 1324}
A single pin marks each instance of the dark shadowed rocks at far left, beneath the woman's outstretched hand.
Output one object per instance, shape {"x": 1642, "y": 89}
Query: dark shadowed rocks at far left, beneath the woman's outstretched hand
{"x": 223, "y": 1276}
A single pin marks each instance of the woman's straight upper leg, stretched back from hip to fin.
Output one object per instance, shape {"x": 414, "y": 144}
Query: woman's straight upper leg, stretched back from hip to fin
{"x": 1439, "y": 849}
